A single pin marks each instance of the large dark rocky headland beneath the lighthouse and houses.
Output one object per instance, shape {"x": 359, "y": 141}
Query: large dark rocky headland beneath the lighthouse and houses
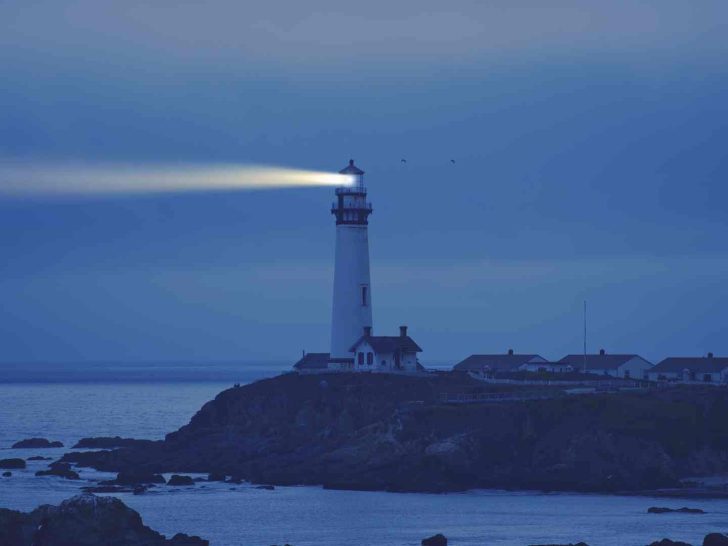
{"x": 388, "y": 432}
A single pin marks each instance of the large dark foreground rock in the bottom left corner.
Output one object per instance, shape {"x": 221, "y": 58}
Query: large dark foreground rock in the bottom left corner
{"x": 84, "y": 520}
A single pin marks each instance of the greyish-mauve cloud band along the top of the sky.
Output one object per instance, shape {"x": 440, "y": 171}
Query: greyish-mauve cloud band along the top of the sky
{"x": 225, "y": 35}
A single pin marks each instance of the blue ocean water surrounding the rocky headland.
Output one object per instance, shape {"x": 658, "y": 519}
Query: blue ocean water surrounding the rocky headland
{"x": 147, "y": 401}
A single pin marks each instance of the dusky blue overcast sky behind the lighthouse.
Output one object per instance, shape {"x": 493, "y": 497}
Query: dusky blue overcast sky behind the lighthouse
{"x": 589, "y": 141}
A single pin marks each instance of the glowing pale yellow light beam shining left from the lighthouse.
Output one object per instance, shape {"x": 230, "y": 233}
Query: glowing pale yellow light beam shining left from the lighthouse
{"x": 28, "y": 179}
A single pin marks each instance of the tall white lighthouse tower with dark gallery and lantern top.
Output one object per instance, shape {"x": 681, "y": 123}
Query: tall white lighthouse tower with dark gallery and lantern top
{"x": 352, "y": 307}
